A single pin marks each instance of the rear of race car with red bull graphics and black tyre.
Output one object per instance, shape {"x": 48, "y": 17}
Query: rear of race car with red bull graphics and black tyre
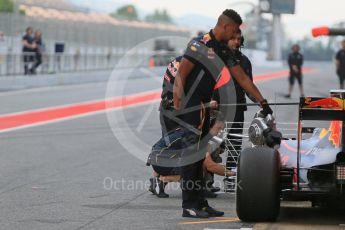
{"x": 310, "y": 169}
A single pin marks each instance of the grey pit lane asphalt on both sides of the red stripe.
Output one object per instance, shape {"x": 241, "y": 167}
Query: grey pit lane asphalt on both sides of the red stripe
{"x": 76, "y": 175}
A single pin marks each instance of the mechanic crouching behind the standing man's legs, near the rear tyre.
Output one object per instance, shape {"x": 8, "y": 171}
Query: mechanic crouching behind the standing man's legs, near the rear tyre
{"x": 163, "y": 149}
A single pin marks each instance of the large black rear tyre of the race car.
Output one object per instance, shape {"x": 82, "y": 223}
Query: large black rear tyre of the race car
{"x": 258, "y": 195}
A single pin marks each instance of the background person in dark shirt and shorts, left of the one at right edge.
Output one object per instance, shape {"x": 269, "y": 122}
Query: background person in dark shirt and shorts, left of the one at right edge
{"x": 295, "y": 62}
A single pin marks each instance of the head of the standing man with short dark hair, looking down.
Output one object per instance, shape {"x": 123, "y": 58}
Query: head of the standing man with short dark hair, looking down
{"x": 227, "y": 25}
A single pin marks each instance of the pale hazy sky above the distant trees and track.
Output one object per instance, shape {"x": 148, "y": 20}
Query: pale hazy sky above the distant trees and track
{"x": 309, "y": 13}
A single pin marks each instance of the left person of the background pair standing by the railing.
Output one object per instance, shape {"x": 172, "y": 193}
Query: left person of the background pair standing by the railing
{"x": 29, "y": 47}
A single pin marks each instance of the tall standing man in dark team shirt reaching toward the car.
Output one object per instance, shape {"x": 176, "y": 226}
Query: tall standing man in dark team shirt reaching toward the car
{"x": 194, "y": 85}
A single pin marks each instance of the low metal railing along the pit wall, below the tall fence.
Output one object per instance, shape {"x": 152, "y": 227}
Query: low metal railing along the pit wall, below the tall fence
{"x": 13, "y": 64}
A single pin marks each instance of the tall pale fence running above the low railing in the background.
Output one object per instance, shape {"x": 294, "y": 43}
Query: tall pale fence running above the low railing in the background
{"x": 82, "y": 36}
